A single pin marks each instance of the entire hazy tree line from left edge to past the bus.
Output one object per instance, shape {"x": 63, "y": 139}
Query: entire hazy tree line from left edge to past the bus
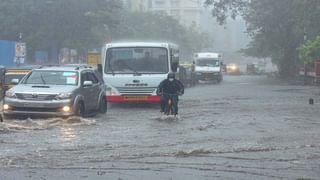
{"x": 81, "y": 24}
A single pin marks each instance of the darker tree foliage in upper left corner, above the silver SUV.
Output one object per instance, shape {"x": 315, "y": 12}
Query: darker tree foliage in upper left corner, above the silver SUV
{"x": 53, "y": 24}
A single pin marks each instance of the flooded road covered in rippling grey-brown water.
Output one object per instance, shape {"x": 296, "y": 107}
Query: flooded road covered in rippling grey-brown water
{"x": 247, "y": 127}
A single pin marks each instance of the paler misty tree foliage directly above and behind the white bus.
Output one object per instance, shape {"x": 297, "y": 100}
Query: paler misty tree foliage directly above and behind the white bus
{"x": 159, "y": 27}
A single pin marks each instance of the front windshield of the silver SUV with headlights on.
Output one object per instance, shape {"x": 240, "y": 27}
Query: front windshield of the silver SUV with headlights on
{"x": 52, "y": 77}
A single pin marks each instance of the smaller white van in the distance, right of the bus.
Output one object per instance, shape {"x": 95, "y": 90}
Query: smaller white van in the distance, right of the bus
{"x": 208, "y": 66}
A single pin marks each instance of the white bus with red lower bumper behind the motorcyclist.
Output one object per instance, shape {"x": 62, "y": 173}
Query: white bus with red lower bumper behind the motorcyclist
{"x": 132, "y": 71}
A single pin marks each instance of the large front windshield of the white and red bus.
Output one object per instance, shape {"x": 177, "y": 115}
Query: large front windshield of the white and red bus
{"x": 137, "y": 60}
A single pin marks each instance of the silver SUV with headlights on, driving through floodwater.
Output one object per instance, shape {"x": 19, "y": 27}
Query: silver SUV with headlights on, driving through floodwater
{"x": 57, "y": 91}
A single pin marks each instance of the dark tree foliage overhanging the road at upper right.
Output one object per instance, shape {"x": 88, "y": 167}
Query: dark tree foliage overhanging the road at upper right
{"x": 277, "y": 28}
